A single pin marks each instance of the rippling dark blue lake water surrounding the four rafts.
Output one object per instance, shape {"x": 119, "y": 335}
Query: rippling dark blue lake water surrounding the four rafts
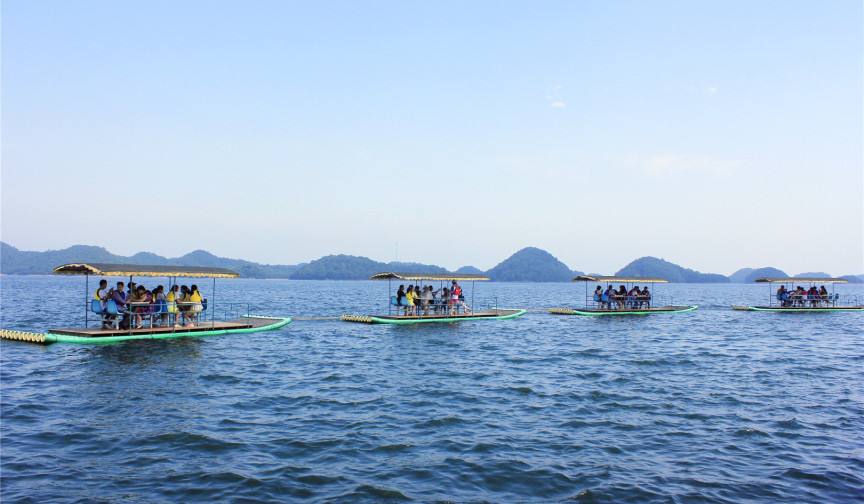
{"x": 713, "y": 405}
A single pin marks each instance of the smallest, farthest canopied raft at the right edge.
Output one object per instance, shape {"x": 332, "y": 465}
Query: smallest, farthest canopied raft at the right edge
{"x": 797, "y": 301}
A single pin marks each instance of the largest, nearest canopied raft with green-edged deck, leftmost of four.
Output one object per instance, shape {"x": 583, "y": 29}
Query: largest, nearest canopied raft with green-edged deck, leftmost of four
{"x": 106, "y": 316}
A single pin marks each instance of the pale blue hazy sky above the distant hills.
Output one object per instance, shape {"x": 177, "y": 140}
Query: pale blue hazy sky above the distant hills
{"x": 715, "y": 135}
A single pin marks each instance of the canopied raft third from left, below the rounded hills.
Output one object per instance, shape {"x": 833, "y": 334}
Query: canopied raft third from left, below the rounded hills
{"x": 608, "y": 303}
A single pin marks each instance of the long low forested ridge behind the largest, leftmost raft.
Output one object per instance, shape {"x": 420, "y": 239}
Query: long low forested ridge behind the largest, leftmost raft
{"x": 17, "y": 262}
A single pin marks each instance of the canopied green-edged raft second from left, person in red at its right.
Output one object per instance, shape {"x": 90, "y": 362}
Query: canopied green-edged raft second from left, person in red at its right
{"x": 438, "y": 309}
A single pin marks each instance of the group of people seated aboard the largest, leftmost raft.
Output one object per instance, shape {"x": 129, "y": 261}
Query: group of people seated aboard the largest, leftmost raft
{"x": 138, "y": 305}
